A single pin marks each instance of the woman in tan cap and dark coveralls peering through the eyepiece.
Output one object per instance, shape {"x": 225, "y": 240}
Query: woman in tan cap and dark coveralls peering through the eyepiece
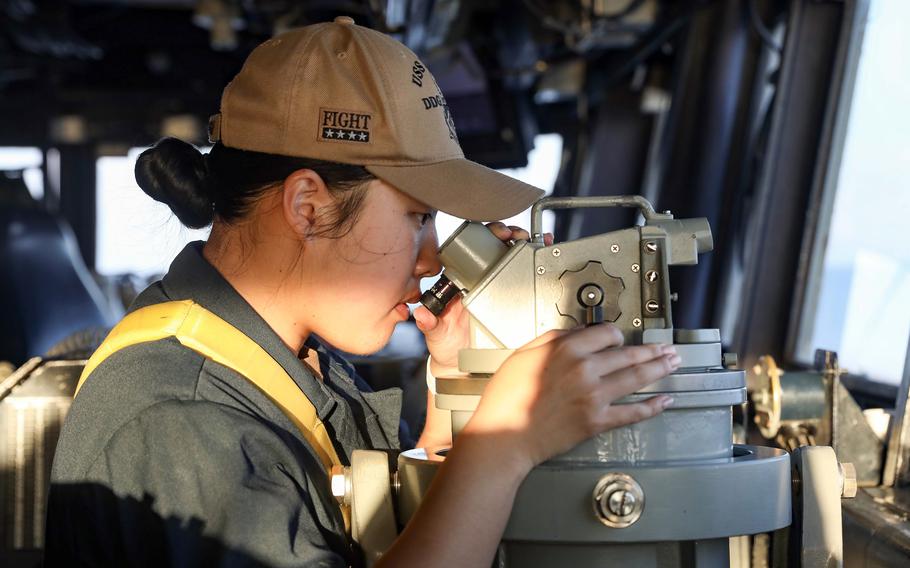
{"x": 333, "y": 151}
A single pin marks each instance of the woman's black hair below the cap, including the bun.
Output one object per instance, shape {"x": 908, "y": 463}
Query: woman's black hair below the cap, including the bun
{"x": 225, "y": 182}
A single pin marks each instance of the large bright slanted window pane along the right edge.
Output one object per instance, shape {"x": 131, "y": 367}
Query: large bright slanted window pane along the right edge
{"x": 862, "y": 303}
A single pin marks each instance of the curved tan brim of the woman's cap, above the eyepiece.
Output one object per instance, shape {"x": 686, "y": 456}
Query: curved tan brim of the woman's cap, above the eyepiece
{"x": 461, "y": 188}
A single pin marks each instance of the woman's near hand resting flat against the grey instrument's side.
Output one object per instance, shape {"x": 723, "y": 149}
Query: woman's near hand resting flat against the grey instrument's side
{"x": 559, "y": 390}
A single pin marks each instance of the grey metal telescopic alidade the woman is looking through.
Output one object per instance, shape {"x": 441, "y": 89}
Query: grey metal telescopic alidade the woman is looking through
{"x": 669, "y": 491}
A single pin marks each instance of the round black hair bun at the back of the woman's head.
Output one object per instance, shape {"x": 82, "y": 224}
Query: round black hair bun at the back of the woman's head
{"x": 174, "y": 173}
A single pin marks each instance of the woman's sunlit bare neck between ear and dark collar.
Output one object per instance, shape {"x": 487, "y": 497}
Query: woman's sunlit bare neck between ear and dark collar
{"x": 261, "y": 277}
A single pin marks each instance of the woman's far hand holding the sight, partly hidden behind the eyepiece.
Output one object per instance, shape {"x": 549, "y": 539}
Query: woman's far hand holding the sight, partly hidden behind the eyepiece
{"x": 447, "y": 334}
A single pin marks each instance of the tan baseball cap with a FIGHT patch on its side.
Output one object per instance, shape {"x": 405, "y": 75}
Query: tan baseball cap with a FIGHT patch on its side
{"x": 344, "y": 93}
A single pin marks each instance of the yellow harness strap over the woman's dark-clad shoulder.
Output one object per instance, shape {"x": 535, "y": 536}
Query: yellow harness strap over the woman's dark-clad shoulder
{"x": 209, "y": 335}
